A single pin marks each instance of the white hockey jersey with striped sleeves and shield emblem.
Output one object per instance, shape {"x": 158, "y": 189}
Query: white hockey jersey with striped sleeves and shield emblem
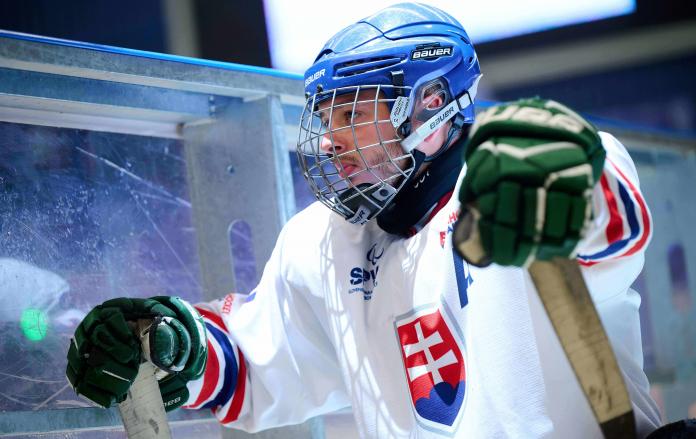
{"x": 419, "y": 343}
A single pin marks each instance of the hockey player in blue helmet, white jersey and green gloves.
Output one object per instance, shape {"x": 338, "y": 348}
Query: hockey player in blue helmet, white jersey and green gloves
{"x": 366, "y": 304}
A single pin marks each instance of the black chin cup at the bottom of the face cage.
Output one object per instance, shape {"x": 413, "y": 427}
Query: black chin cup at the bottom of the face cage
{"x": 361, "y": 203}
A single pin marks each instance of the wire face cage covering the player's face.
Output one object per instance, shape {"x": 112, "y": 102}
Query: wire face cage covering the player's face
{"x": 350, "y": 154}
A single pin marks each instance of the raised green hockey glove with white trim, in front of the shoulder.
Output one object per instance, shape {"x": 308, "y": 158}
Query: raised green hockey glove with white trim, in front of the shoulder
{"x": 531, "y": 168}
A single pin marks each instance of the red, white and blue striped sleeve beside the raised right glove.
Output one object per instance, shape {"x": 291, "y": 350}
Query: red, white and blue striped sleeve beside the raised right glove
{"x": 622, "y": 225}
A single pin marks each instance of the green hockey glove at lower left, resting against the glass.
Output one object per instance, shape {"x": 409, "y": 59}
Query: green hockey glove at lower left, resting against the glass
{"x": 105, "y": 353}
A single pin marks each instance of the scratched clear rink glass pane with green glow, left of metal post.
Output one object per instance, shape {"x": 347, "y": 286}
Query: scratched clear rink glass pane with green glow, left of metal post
{"x": 86, "y": 216}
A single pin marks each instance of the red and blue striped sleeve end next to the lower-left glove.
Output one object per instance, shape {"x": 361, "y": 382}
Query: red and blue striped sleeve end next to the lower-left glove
{"x": 222, "y": 387}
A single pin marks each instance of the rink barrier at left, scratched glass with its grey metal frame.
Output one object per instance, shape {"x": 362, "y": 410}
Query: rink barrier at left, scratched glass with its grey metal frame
{"x": 125, "y": 173}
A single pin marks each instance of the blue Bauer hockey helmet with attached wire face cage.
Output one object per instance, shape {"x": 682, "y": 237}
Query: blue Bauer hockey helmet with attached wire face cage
{"x": 398, "y": 56}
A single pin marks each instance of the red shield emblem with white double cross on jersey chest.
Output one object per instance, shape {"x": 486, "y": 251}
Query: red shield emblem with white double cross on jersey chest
{"x": 434, "y": 363}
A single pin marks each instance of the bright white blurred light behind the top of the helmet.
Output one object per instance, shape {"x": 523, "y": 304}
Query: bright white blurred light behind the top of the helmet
{"x": 297, "y": 29}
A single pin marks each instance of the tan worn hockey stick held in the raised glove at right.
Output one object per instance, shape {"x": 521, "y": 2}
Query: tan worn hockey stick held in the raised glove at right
{"x": 574, "y": 317}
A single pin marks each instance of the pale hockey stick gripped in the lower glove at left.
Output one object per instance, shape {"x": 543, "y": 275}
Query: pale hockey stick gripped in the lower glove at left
{"x": 143, "y": 412}
